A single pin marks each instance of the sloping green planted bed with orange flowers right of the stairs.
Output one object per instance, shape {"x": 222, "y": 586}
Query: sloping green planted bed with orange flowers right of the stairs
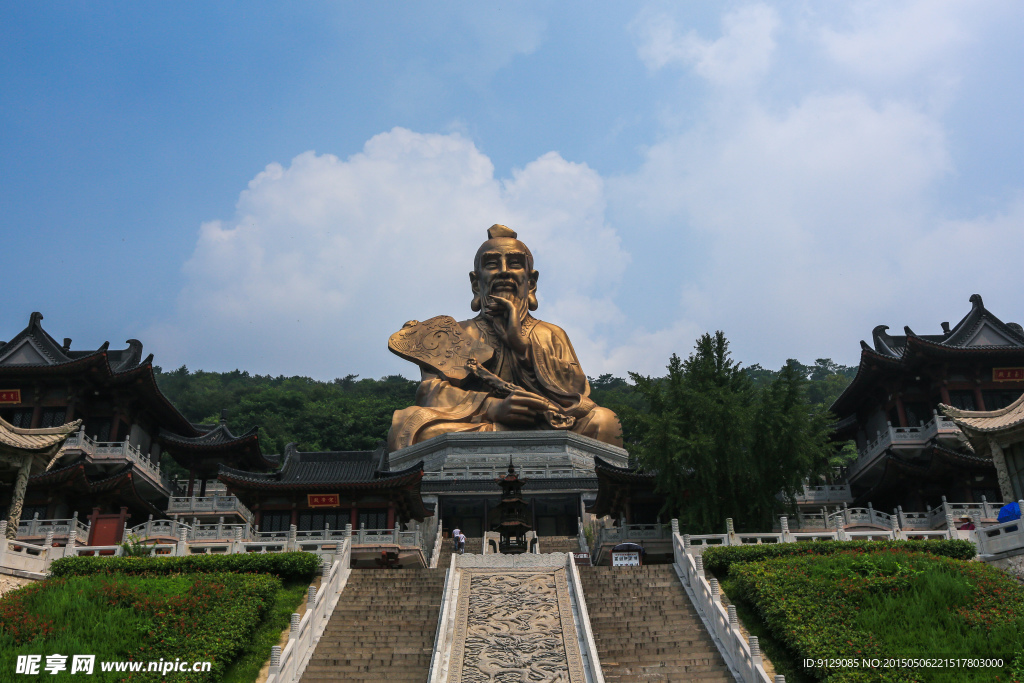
{"x": 883, "y": 605}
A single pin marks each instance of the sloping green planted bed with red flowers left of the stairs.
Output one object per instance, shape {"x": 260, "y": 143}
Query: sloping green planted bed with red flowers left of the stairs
{"x": 208, "y": 617}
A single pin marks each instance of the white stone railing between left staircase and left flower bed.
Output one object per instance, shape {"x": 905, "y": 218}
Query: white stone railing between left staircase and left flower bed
{"x": 288, "y": 665}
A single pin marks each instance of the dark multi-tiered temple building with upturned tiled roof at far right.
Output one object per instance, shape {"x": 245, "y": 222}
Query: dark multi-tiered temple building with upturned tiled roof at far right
{"x": 909, "y": 454}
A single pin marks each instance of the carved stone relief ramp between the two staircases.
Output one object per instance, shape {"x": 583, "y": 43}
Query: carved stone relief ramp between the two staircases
{"x": 514, "y": 624}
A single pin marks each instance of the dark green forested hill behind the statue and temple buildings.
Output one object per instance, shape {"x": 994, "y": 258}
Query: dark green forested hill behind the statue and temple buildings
{"x": 354, "y": 414}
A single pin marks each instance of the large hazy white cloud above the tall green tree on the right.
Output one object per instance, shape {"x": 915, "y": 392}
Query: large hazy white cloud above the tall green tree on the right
{"x": 806, "y": 218}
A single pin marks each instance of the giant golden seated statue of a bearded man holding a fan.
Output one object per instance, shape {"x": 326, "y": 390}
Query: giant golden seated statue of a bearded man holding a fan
{"x": 503, "y": 370}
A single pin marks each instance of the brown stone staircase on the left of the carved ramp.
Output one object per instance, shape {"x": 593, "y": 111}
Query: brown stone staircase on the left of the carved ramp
{"x": 382, "y": 629}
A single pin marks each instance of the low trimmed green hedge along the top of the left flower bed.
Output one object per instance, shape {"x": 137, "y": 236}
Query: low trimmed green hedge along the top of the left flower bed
{"x": 289, "y": 567}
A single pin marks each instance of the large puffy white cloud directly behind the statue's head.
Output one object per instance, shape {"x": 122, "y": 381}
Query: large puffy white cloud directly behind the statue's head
{"x": 326, "y": 259}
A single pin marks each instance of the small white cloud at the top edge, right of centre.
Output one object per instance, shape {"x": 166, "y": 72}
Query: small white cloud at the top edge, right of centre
{"x": 742, "y": 54}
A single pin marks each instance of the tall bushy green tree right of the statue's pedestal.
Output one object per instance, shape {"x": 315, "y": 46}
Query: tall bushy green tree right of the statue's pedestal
{"x": 726, "y": 448}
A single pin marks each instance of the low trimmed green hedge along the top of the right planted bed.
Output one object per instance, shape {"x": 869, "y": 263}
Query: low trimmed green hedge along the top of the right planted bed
{"x": 718, "y": 560}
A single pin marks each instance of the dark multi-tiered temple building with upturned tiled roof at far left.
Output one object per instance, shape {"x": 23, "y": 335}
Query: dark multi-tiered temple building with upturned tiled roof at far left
{"x": 114, "y": 464}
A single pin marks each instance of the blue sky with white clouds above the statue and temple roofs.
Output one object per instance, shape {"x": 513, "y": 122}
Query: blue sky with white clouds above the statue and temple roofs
{"x": 279, "y": 188}
